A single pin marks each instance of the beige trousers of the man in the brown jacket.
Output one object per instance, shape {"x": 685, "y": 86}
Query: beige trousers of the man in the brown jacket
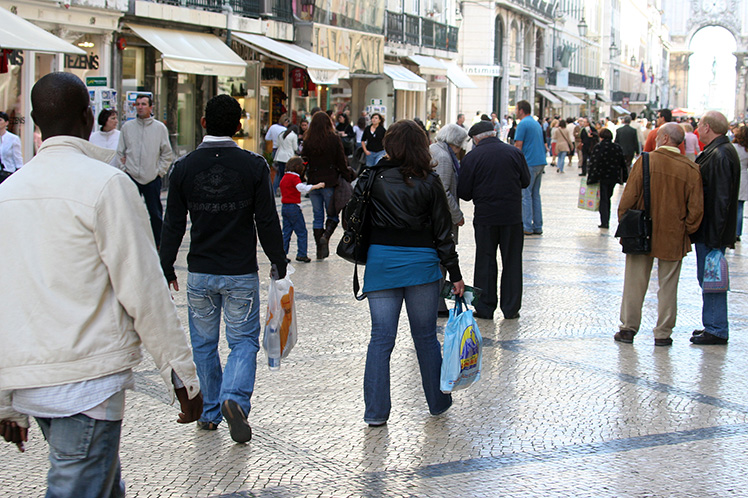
{"x": 635, "y": 283}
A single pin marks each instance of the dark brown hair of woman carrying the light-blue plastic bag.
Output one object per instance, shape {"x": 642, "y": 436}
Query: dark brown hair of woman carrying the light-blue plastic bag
{"x": 406, "y": 143}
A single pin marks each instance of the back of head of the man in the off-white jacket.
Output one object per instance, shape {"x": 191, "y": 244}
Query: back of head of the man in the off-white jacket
{"x": 61, "y": 106}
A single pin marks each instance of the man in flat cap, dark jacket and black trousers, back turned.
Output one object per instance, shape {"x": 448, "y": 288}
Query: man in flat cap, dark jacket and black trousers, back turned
{"x": 492, "y": 175}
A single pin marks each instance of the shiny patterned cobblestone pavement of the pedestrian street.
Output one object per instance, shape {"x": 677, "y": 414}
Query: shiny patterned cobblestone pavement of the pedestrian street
{"x": 561, "y": 409}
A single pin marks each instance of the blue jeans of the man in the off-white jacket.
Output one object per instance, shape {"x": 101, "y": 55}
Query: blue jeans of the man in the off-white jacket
{"x": 83, "y": 457}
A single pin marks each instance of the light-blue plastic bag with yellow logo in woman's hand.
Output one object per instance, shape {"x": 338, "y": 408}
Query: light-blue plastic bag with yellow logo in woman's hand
{"x": 463, "y": 347}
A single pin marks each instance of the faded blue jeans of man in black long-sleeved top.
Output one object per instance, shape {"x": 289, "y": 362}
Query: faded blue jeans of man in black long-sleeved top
{"x": 238, "y": 295}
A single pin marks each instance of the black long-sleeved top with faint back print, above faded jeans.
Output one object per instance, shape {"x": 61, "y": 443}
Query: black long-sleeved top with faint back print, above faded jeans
{"x": 227, "y": 192}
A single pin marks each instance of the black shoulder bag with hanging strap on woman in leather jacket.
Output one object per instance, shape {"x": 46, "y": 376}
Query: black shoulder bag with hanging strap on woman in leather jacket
{"x": 354, "y": 245}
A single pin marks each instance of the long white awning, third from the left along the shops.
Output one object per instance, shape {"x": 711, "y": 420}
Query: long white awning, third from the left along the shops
{"x": 322, "y": 71}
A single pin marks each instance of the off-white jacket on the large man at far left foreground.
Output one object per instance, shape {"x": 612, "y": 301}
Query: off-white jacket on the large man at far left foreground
{"x": 84, "y": 284}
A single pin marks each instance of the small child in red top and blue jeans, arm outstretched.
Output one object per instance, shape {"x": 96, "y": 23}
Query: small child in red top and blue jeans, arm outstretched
{"x": 291, "y": 188}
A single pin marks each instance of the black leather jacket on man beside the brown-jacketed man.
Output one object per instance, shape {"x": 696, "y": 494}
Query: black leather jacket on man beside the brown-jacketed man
{"x": 720, "y": 174}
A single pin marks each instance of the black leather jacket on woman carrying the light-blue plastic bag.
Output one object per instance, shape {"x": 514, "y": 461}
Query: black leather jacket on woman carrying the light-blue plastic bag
{"x": 415, "y": 215}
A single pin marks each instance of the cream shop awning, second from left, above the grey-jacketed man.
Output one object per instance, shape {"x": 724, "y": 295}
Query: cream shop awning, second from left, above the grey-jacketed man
{"x": 192, "y": 53}
